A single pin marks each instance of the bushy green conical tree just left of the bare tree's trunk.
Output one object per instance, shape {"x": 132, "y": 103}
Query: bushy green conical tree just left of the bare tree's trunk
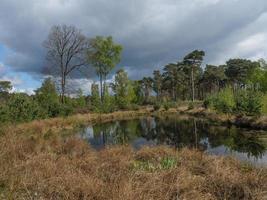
{"x": 48, "y": 99}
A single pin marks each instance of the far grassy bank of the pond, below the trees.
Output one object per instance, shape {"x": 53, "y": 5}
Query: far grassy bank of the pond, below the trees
{"x": 57, "y": 124}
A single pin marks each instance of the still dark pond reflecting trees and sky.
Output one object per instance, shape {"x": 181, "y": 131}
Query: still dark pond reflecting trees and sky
{"x": 178, "y": 132}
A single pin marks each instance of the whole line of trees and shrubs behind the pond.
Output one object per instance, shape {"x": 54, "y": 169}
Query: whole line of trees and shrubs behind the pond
{"x": 237, "y": 86}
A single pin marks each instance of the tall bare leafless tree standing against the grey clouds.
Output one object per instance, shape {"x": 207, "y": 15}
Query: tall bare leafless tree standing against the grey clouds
{"x": 66, "y": 47}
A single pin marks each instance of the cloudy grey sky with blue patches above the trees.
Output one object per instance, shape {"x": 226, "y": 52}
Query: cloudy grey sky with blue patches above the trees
{"x": 152, "y": 32}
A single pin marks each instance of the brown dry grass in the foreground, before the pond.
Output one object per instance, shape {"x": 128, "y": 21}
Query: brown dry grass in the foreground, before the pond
{"x": 45, "y": 166}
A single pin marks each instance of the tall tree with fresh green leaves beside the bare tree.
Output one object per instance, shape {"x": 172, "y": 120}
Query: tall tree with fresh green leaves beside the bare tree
{"x": 104, "y": 55}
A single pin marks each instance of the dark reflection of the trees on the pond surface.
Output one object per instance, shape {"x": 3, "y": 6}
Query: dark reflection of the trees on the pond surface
{"x": 171, "y": 130}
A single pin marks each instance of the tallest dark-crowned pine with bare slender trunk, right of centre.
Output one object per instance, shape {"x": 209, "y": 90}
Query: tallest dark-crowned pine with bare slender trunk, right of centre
{"x": 193, "y": 61}
